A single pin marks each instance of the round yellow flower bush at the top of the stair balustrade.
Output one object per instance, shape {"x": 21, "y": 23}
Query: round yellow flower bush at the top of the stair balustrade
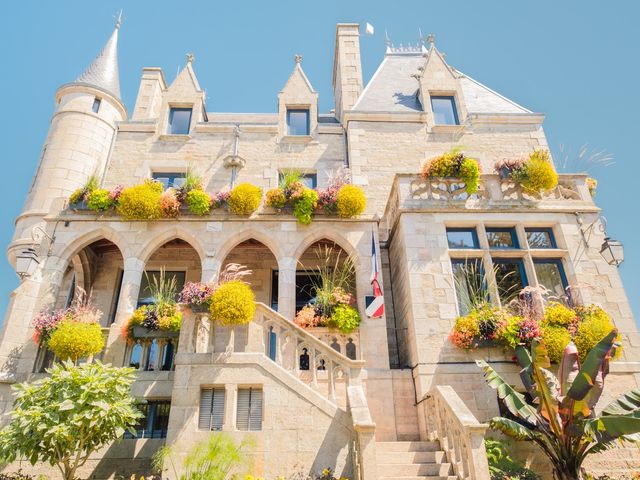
{"x": 233, "y": 303}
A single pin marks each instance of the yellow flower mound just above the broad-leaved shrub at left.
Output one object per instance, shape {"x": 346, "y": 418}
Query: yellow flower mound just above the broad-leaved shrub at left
{"x": 75, "y": 340}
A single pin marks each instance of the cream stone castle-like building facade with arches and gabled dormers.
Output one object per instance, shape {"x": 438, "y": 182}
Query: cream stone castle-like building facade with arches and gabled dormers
{"x": 383, "y": 133}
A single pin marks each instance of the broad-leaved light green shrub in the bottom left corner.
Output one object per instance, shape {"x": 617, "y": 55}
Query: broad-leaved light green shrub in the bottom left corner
{"x": 65, "y": 417}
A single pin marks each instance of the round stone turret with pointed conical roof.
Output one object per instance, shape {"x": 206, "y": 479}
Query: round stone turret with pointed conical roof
{"x": 79, "y": 142}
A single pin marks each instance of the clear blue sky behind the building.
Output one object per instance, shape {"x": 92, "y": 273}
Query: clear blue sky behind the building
{"x": 575, "y": 61}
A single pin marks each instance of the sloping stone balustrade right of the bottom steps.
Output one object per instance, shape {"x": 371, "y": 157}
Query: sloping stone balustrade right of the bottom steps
{"x": 460, "y": 434}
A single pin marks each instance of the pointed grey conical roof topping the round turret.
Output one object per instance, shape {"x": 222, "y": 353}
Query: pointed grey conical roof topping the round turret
{"x": 103, "y": 71}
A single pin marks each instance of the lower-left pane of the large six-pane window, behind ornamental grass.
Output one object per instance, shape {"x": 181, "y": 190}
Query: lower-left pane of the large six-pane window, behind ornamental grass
{"x": 468, "y": 276}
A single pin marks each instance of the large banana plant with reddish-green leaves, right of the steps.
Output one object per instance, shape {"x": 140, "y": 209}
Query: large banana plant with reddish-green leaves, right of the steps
{"x": 561, "y": 419}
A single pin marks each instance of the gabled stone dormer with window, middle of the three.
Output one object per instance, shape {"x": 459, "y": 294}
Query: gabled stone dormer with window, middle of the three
{"x": 297, "y": 105}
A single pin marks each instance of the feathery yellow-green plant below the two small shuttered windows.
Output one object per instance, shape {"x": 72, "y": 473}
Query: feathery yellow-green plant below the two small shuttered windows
{"x": 216, "y": 458}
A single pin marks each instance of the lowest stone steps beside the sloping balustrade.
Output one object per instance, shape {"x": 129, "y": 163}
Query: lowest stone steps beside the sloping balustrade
{"x": 412, "y": 460}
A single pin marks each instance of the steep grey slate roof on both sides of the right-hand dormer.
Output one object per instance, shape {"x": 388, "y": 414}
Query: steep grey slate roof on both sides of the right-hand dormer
{"x": 393, "y": 89}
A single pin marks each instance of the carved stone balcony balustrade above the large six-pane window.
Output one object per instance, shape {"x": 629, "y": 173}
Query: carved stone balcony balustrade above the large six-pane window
{"x": 413, "y": 193}
